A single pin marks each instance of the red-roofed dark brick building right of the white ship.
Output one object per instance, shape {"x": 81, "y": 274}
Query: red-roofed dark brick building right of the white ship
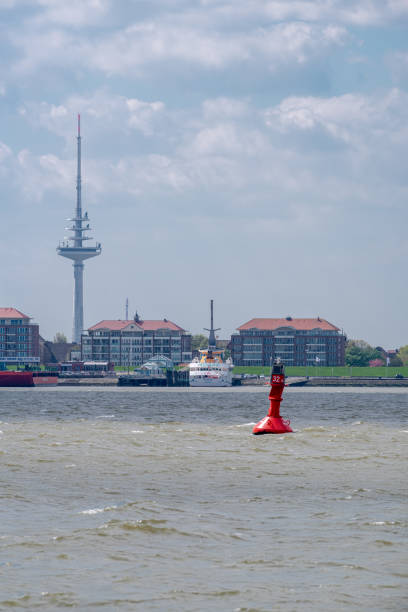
{"x": 297, "y": 342}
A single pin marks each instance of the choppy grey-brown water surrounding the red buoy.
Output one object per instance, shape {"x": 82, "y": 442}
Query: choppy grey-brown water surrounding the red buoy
{"x": 163, "y": 500}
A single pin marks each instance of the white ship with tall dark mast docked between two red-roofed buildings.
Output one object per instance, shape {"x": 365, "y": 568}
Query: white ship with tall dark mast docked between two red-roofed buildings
{"x": 209, "y": 370}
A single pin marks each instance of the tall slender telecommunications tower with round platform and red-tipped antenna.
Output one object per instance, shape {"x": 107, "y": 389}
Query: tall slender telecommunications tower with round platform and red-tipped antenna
{"x": 73, "y": 248}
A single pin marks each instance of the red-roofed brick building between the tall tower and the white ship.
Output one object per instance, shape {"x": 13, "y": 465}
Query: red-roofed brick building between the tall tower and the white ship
{"x": 131, "y": 343}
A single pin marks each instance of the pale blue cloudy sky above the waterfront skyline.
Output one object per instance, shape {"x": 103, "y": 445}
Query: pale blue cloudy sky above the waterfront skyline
{"x": 253, "y": 152}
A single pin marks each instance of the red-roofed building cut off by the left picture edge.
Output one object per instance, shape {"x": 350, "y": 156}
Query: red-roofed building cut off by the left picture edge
{"x": 19, "y": 338}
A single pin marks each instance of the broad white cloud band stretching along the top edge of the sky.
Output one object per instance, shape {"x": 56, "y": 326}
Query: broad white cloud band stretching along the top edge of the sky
{"x": 211, "y": 35}
